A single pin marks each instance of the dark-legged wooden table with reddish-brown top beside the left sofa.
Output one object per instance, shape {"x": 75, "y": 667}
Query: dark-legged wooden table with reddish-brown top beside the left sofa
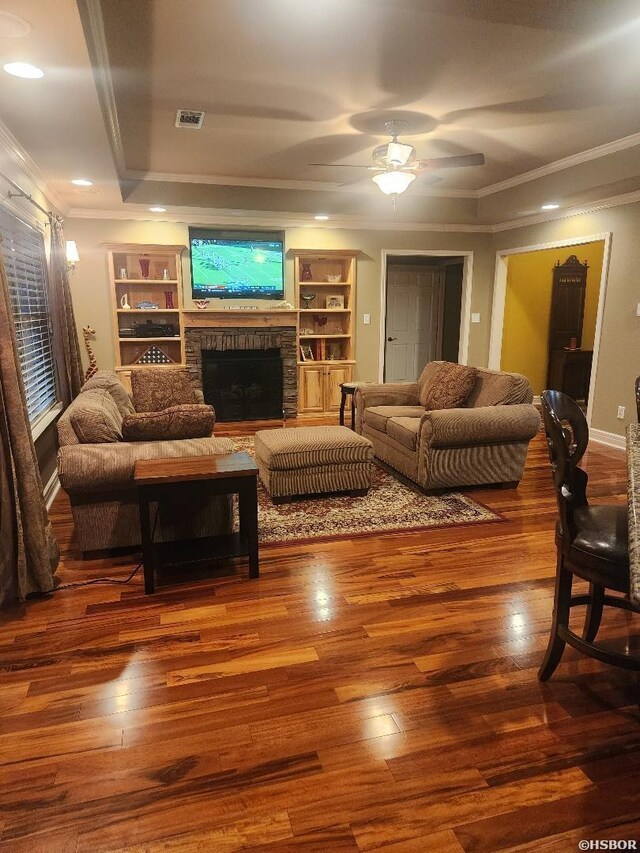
{"x": 226, "y": 474}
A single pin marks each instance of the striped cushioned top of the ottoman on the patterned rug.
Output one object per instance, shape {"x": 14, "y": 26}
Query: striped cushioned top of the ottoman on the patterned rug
{"x": 309, "y": 447}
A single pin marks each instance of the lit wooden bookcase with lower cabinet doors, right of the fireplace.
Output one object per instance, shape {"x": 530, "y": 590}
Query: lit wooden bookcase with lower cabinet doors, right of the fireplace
{"x": 325, "y": 287}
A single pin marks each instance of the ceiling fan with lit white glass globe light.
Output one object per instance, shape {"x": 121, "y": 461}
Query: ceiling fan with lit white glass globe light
{"x": 397, "y": 163}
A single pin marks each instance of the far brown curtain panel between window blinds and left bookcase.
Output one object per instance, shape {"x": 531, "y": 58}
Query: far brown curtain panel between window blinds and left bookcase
{"x": 65, "y": 333}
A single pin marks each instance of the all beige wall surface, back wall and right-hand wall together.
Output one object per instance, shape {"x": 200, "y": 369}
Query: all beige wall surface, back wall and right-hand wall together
{"x": 619, "y": 361}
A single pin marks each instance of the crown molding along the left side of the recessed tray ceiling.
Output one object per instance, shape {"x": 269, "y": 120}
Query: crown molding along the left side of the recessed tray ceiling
{"x": 93, "y": 26}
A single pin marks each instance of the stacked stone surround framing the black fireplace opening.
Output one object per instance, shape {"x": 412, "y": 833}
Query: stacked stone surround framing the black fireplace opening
{"x": 247, "y": 338}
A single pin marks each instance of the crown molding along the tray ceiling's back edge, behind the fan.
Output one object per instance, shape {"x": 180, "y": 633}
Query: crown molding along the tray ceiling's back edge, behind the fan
{"x": 280, "y": 184}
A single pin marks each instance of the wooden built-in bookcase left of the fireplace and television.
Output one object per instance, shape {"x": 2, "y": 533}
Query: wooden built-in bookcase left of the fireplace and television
{"x": 146, "y": 301}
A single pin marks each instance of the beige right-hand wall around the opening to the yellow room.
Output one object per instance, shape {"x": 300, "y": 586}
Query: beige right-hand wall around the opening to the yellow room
{"x": 619, "y": 360}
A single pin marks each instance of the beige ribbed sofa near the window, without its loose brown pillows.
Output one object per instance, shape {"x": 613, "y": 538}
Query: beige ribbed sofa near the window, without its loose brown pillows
{"x": 98, "y": 477}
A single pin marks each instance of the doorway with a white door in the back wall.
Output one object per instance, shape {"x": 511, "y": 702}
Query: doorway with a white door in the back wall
{"x": 422, "y": 311}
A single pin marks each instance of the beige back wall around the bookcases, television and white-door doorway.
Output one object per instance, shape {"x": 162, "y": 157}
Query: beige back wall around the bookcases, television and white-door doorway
{"x": 91, "y": 290}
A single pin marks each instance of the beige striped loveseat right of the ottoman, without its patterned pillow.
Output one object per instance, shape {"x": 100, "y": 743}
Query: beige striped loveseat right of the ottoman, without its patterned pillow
{"x": 483, "y": 441}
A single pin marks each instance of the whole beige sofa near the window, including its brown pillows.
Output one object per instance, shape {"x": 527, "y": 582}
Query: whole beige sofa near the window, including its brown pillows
{"x": 98, "y": 474}
